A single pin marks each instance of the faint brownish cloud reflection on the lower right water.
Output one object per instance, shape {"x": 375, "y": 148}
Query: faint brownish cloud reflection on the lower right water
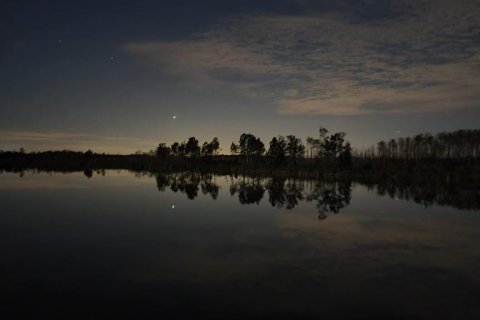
{"x": 388, "y": 240}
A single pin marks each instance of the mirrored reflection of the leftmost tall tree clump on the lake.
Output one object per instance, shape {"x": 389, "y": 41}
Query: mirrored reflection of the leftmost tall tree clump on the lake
{"x": 188, "y": 183}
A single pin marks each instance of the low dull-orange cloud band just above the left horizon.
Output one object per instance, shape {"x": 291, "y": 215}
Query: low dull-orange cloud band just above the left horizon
{"x": 77, "y": 141}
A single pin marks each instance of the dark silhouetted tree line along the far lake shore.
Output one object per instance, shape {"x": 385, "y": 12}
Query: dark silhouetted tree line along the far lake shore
{"x": 455, "y": 153}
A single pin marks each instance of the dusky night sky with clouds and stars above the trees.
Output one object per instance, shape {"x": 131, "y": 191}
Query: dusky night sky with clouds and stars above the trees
{"x": 110, "y": 75}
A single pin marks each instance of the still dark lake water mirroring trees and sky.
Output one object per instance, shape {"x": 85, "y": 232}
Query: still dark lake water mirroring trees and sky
{"x": 182, "y": 246}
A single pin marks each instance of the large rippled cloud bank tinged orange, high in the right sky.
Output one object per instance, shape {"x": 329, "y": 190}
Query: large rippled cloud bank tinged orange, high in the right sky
{"x": 422, "y": 56}
